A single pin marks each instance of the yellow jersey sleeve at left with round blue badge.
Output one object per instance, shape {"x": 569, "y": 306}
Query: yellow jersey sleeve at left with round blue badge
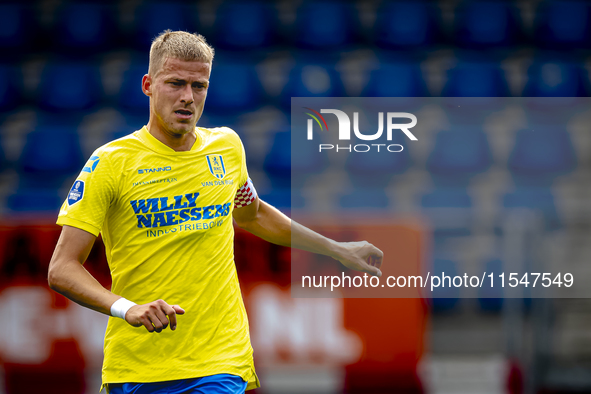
{"x": 90, "y": 196}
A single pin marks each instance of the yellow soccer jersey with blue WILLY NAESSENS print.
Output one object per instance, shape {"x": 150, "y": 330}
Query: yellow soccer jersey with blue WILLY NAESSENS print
{"x": 166, "y": 221}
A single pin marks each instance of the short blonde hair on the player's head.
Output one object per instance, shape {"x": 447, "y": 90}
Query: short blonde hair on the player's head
{"x": 179, "y": 45}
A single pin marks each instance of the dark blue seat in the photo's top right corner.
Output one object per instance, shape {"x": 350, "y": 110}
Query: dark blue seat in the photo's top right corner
{"x": 563, "y": 24}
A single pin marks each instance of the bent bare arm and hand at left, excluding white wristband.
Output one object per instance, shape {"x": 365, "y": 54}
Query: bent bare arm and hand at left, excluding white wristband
{"x": 68, "y": 277}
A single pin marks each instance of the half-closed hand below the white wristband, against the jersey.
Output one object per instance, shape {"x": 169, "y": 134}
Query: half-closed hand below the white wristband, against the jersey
{"x": 154, "y": 316}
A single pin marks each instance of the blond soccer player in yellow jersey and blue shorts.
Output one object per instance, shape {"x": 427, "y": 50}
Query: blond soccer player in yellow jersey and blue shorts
{"x": 164, "y": 198}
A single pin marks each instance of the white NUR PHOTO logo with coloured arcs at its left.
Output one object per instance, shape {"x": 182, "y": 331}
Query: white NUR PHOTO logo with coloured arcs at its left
{"x": 344, "y": 131}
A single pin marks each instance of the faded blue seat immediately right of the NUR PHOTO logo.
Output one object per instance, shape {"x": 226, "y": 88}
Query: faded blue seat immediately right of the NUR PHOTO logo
{"x": 458, "y": 155}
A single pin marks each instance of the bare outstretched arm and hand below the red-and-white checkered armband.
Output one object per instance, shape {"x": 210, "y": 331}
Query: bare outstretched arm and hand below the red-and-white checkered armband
{"x": 268, "y": 223}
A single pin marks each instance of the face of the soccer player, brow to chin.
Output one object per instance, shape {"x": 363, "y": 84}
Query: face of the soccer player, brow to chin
{"x": 178, "y": 94}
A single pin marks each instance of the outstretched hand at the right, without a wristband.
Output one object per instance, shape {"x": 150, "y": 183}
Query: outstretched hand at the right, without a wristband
{"x": 360, "y": 256}
